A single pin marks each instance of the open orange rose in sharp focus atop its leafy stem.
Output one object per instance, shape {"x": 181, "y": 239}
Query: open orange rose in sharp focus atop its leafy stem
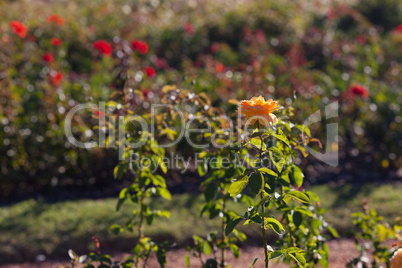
{"x": 257, "y": 109}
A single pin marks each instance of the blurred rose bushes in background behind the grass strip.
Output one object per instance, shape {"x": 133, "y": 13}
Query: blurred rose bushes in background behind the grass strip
{"x": 314, "y": 50}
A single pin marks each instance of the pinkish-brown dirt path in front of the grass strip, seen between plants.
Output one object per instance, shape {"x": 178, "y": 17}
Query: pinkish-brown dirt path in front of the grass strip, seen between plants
{"x": 340, "y": 251}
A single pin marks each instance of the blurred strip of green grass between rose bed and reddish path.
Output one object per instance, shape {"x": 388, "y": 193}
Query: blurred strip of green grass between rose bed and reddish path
{"x": 34, "y": 227}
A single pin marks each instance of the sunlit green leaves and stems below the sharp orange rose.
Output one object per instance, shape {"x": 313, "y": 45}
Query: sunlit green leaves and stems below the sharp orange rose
{"x": 301, "y": 225}
